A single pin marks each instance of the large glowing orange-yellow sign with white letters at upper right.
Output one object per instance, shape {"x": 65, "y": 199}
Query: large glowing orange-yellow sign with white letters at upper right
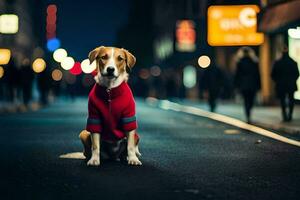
{"x": 233, "y": 26}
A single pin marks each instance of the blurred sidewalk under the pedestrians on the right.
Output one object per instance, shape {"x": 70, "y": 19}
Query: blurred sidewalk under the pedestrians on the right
{"x": 264, "y": 116}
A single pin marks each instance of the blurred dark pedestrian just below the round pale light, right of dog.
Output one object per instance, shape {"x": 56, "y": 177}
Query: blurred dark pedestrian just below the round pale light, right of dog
{"x": 212, "y": 83}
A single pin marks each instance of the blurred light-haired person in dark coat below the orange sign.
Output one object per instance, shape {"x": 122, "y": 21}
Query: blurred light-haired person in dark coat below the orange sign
{"x": 247, "y": 78}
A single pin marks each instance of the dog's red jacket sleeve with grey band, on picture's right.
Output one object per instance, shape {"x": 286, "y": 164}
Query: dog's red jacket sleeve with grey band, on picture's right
{"x": 129, "y": 121}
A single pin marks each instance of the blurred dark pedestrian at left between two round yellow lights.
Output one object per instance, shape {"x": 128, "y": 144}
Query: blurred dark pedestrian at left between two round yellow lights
{"x": 26, "y": 80}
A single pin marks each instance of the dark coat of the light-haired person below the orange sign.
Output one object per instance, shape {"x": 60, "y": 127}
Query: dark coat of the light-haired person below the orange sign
{"x": 247, "y": 75}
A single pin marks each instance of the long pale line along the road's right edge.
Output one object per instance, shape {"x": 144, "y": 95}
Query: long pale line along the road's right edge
{"x": 168, "y": 105}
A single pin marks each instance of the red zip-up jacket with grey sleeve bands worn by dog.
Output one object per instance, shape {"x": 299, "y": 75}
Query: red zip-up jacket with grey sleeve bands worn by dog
{"x": 111, "y": 112}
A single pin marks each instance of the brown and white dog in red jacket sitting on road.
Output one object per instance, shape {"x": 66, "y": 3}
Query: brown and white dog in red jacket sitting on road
{"x": 111, "y": 124}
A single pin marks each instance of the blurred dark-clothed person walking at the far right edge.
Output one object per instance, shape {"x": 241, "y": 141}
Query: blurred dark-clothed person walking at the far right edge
{"x": 285, "y": 74}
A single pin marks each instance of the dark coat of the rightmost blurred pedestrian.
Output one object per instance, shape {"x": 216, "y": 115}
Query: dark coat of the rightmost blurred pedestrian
{"x": 285, "y": 74}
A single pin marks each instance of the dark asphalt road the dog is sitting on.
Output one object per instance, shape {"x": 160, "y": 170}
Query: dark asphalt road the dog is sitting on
{"x": 184, "y": 157}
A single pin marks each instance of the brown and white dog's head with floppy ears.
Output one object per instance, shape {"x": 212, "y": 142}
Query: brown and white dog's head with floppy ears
{"x": 112, "y": 62}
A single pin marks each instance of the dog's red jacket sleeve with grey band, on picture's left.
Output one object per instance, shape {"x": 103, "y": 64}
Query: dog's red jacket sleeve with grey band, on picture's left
{"x": 94, "y": 124}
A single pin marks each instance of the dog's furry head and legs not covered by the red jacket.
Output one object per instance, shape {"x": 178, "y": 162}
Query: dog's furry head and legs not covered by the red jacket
{"x": 112, "y": 64}
